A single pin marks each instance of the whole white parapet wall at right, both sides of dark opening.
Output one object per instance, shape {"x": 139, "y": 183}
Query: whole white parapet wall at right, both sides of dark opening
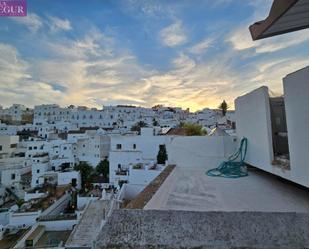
{"x": 253, "y": 120}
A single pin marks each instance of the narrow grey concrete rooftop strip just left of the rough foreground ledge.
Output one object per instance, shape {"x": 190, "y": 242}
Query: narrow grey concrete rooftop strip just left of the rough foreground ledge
{"x": 89, "y": 226}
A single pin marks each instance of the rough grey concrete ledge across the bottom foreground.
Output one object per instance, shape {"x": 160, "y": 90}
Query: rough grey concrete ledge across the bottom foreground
{"x": 180, "y": 229}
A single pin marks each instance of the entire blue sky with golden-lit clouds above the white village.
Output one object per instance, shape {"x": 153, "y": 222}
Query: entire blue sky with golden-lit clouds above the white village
{"x": 184, "y": 53}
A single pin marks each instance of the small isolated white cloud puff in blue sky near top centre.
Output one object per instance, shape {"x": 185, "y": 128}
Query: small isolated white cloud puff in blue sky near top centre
{"x": 173, "y": 35}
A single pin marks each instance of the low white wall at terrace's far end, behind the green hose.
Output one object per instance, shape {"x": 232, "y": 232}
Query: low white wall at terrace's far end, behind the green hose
{"x": 201, "y": 151}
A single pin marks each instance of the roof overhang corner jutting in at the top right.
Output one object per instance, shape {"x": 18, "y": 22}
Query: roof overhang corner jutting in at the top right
{"x": 285, "y": 16}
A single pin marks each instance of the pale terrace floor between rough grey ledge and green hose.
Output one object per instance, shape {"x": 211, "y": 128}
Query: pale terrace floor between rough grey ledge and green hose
{"x": 192, "y": 190}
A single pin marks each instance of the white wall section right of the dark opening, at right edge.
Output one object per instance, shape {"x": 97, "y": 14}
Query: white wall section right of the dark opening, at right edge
{"x": 296, "y": 92}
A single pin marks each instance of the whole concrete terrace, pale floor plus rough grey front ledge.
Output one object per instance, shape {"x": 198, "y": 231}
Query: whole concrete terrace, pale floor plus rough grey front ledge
{"x": 192, "y": 210}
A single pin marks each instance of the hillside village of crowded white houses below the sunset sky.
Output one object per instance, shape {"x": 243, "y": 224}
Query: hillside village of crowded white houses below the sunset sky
{"x": 85, "y": 152}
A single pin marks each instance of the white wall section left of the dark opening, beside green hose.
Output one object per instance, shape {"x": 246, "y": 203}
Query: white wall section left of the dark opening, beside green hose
{"x": 253, "y": 122}
